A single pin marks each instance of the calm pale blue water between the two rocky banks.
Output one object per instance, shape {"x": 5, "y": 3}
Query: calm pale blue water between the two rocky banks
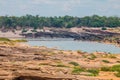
{"x": 85, "y": 46}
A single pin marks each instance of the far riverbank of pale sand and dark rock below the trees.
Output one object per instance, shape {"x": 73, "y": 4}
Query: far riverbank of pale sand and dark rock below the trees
{"x": 111, "y": 35}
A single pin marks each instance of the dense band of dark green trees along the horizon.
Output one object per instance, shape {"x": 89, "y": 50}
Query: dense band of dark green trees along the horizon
{"x": 58, "y": 22}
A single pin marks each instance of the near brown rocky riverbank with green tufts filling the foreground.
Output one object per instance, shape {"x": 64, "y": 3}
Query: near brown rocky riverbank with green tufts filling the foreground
{"x": 21, "y": 61}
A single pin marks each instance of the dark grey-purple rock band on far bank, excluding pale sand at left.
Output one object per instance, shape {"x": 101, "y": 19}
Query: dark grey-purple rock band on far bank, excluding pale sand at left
{"x": 87, "y": 34}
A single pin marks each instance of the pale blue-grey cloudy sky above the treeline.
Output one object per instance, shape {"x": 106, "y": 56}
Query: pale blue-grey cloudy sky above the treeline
{"x": 60, "y": 7}
